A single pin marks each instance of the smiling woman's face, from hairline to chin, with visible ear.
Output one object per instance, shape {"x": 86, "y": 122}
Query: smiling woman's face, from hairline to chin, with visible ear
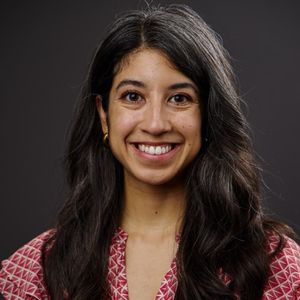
{"x": 154, "y": 118}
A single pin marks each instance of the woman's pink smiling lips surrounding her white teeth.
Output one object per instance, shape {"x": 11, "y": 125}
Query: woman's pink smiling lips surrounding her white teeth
{"x": 159, "y": 157}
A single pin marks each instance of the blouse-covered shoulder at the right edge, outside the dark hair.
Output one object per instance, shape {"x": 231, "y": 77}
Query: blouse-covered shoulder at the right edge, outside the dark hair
{"x": 284, "y": 278}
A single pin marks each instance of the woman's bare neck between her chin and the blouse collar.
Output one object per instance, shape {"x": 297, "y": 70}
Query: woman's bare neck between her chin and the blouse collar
{"x": 152, "y": 209}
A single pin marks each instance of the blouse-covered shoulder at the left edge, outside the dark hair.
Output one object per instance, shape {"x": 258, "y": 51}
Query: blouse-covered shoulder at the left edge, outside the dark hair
{"x": 21, "y": 275}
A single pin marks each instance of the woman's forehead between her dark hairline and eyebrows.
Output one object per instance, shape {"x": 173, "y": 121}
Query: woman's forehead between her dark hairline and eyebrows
{"x": 148, "y": 65}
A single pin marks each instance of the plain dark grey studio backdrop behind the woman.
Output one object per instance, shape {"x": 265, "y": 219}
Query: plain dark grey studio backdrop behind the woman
{"x": 45, "y": 49}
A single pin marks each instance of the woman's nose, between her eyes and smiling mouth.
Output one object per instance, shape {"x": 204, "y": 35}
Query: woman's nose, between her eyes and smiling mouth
{"x": 156, "y": 119}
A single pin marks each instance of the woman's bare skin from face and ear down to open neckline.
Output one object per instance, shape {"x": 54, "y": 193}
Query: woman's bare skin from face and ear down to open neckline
{"x": 151, "y": 103}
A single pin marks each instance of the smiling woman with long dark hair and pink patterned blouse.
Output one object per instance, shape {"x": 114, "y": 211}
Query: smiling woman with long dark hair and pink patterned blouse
{"x": 164, "y": 198}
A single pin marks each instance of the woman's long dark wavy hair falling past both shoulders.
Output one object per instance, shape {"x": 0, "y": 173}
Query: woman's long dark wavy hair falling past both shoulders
{"x": 223, "y": 228}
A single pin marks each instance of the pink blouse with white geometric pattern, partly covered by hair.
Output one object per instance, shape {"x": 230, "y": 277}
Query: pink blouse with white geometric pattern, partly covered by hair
{"x": 21, "y": 276}
